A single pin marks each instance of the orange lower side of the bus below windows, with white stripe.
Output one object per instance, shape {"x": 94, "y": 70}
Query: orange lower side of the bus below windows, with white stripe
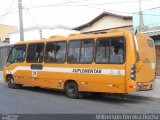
{"x": 87, "y": 82}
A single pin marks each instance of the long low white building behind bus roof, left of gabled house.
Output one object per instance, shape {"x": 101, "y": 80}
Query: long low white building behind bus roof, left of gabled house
{"x": 40, "y": 32}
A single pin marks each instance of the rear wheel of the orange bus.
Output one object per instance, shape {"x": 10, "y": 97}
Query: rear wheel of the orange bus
{"x": 72, "y": 90}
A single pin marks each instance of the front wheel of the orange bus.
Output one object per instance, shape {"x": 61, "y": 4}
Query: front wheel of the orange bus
{"x": 11, "y": 84}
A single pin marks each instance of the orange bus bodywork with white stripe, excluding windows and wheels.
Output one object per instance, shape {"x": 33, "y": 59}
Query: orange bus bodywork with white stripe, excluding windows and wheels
{"x": 91, "y": 77}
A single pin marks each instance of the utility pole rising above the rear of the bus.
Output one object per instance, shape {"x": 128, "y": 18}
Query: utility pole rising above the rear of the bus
{"x": 141, "y": 26}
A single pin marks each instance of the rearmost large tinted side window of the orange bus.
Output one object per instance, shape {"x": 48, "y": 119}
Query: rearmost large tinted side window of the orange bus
{"x": 110, "y": 50}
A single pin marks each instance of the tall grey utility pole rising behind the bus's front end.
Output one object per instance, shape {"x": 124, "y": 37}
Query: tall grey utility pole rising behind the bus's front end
{"x": 20, "y": 20}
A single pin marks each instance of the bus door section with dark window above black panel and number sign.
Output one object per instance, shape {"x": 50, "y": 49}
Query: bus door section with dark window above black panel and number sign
{"x": 34, "y": 60}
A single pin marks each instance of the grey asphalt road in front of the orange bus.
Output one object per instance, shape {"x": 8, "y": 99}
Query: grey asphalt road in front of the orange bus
{"x": 29, "y": 100}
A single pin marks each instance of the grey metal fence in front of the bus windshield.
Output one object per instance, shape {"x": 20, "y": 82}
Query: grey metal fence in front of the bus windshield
{"x": 3, "y": 54}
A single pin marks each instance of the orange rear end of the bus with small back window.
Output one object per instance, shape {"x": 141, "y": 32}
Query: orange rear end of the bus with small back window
{"x": 147, "y": 71}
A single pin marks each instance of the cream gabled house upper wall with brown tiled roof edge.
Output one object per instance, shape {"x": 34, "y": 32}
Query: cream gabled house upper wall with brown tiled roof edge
{"x": 106, "y": 21}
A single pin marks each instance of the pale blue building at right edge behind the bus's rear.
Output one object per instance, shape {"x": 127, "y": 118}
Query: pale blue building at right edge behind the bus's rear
{"x": 151, "y": 27}
